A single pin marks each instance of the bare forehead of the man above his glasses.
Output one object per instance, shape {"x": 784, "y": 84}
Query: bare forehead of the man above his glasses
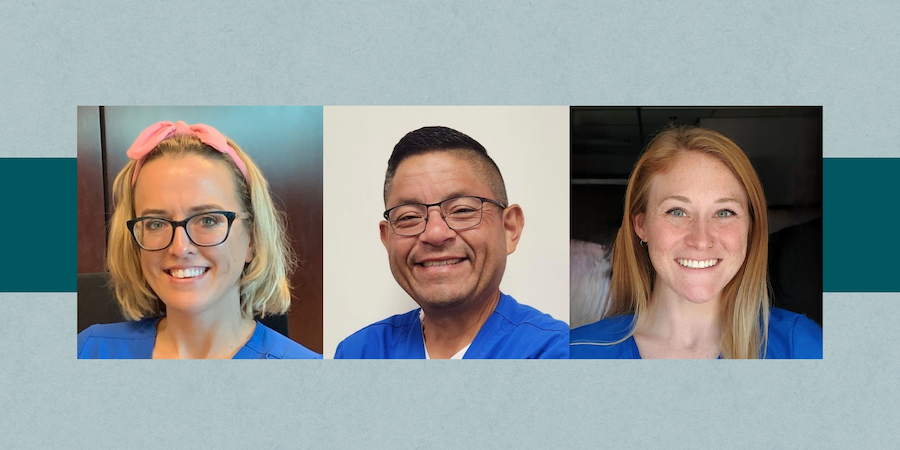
{"x": 436, "y": 176}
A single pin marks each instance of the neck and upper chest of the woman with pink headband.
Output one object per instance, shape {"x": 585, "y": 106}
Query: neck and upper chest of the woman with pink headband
{"x": 182, "y": 335}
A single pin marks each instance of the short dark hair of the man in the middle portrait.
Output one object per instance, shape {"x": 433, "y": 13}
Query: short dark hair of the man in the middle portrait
{"x": 436, "y": 139}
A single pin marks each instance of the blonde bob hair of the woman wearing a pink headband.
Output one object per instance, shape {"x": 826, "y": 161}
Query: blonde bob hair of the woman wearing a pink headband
{"x": 264, "y": 287}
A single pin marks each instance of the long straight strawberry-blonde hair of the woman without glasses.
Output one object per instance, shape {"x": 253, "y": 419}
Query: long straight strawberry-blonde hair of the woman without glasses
{"x": 744, "y": 309}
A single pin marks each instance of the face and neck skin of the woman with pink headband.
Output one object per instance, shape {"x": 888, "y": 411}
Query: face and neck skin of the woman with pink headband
{"x": 203, "y": 318}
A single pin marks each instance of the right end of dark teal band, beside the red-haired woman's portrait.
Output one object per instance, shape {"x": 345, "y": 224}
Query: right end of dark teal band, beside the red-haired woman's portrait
{"x": 860, "y": 224}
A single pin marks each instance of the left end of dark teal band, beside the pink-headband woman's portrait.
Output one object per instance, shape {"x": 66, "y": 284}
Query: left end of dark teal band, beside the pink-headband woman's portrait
{"x": 40, "y": 234}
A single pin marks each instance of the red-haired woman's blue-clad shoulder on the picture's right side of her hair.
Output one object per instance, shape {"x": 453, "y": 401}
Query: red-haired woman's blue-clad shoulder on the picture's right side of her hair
{"x": 793, "y": 336}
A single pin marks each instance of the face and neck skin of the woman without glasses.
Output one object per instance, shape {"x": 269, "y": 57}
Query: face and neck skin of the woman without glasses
{"x": 697, "y": 211}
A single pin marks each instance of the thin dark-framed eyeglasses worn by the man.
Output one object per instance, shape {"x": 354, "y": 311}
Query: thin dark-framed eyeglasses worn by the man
{"x": 460, "y": 213}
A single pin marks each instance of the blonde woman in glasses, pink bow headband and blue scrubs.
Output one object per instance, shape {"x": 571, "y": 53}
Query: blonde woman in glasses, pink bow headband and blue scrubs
{"x": 196, "y": 250}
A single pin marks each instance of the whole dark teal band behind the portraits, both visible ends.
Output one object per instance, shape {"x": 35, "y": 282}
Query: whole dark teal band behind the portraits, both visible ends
{"x": 859, "y": 201}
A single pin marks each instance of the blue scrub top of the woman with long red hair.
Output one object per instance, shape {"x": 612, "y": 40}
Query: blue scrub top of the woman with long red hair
{"x": 791, "y": 336}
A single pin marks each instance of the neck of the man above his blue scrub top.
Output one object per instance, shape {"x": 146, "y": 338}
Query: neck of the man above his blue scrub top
{"x": 447, "y": 332}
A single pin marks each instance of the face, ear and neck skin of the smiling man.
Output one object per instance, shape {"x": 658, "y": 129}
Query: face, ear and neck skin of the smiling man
{"x": 457, "y": 299}
